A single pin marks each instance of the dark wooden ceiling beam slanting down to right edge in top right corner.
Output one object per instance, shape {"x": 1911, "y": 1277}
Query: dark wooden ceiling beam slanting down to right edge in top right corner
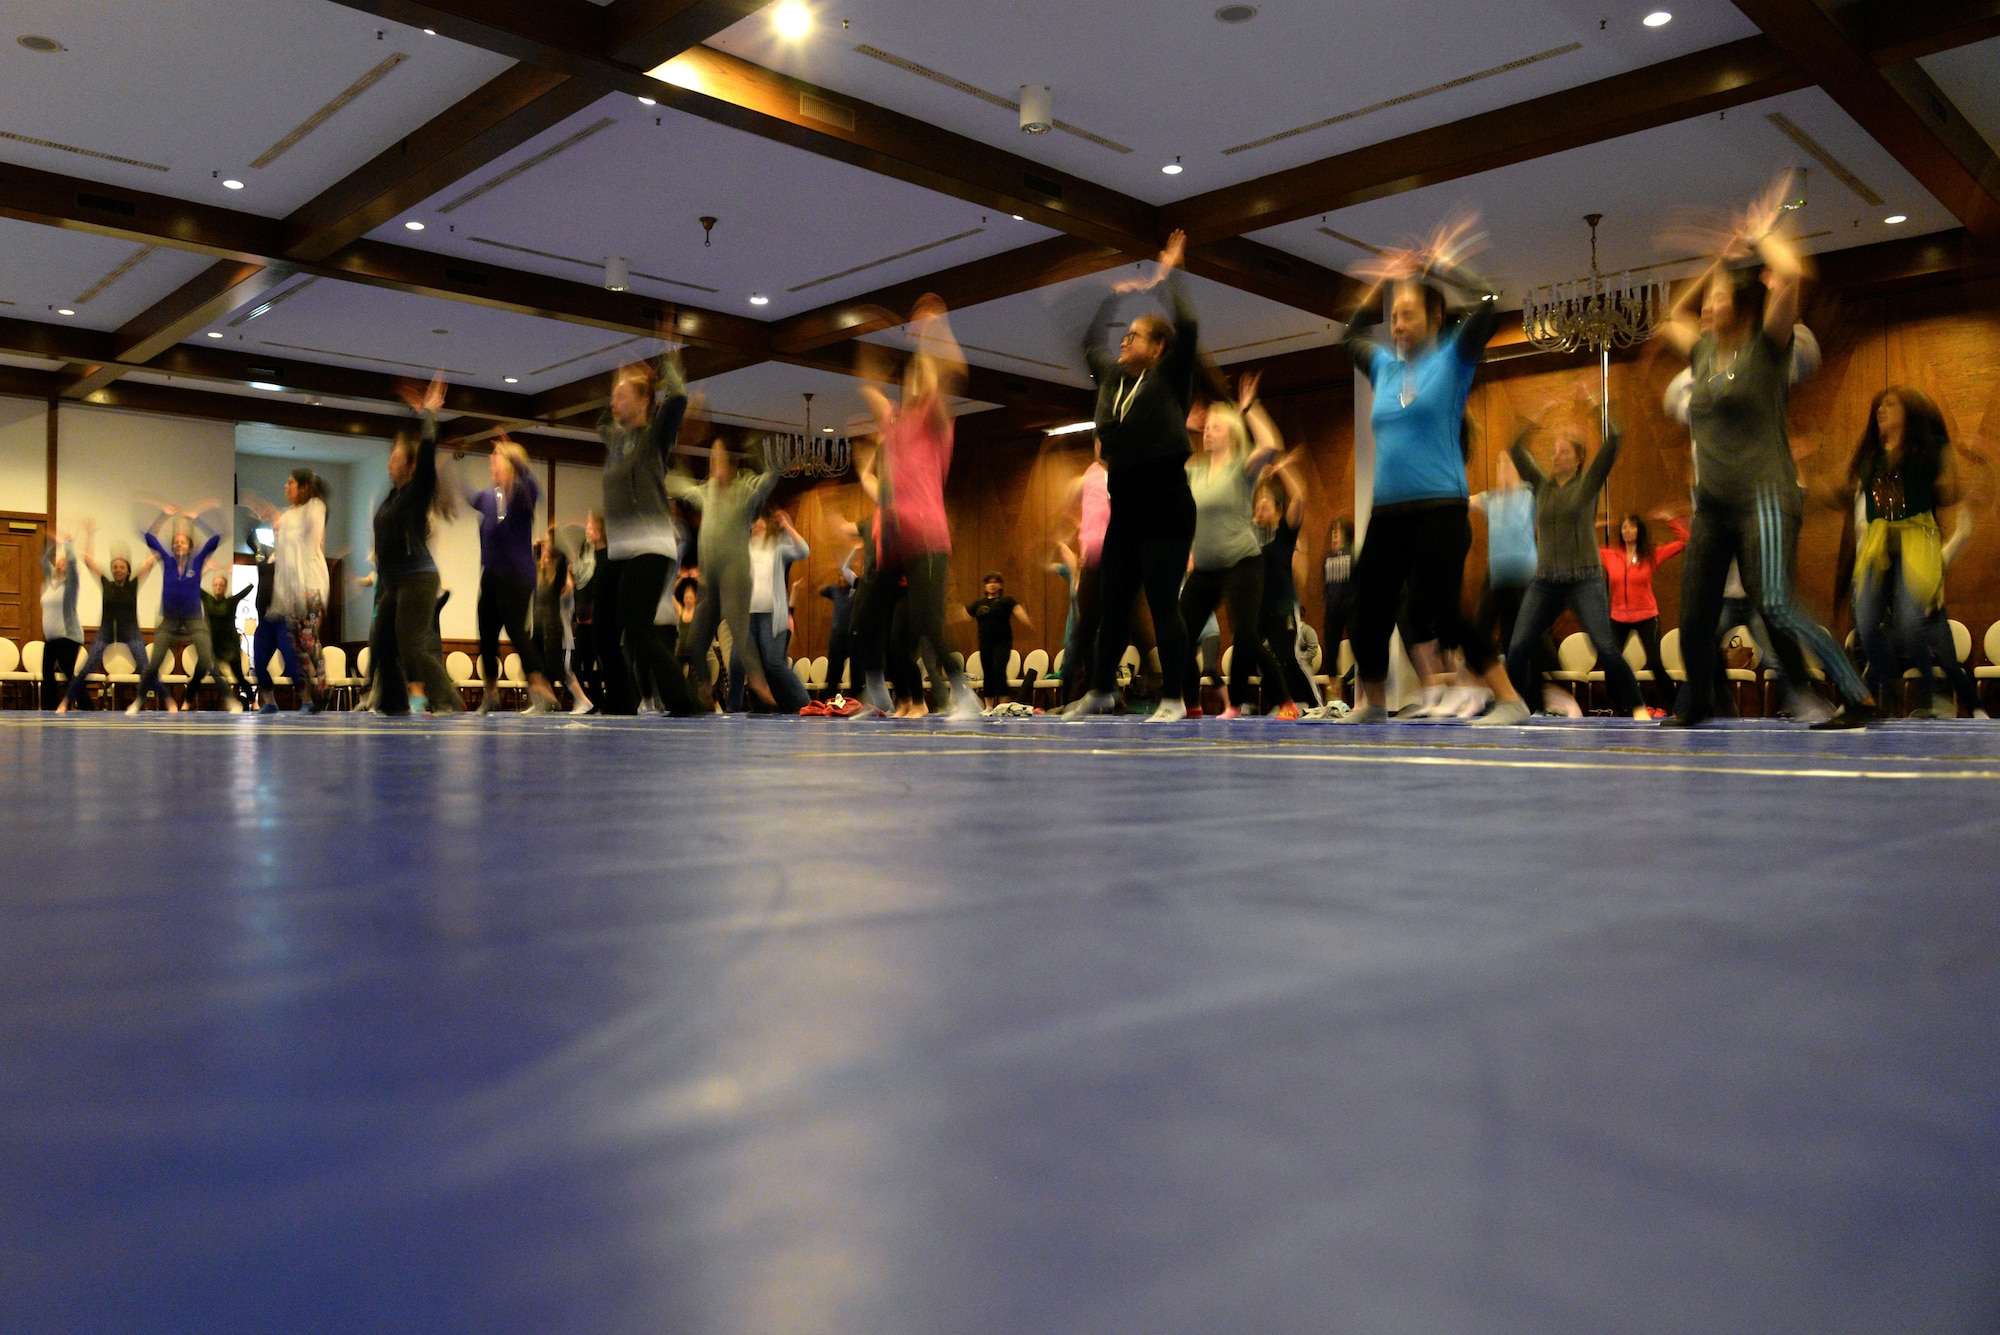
{"x": 1907, "y": 115}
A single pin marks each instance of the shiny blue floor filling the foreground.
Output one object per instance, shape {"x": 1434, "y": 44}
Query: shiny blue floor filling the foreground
{"x": 791, "y": 1026}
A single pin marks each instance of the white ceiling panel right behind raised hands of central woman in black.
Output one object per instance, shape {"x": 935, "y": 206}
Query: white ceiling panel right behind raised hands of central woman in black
{"x": 1041, "y": 333}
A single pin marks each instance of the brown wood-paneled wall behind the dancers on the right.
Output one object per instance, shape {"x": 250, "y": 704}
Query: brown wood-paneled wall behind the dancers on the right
{"x": 1009, "y": 497}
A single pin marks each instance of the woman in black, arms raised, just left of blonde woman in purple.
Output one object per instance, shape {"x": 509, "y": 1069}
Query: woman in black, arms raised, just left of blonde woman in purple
{"x": 405, "y": 641}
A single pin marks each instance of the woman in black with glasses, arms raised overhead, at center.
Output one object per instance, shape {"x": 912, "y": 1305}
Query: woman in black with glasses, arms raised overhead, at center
{"x": 1145, "y": 395}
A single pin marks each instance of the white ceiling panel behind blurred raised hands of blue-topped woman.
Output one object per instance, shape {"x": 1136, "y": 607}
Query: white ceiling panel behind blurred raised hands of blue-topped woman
{"x": 1643, "y": 185}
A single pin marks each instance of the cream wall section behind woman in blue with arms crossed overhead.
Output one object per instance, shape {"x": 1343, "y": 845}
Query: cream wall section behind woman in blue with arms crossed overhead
{"x": 109, "y": 461}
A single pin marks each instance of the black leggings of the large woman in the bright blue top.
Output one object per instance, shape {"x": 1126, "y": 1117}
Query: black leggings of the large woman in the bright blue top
{"x": 1421, "y": 547}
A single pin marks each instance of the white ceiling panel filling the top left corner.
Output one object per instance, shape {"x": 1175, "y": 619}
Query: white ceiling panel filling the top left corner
{"x": 173, "y": 95}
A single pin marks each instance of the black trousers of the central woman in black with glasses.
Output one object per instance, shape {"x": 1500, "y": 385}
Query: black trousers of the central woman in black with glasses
{"x": 1149, "y": 559}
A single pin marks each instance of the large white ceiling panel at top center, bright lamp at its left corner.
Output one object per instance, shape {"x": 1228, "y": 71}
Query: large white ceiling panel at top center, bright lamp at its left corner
{"x": 1165, "y": 79}
